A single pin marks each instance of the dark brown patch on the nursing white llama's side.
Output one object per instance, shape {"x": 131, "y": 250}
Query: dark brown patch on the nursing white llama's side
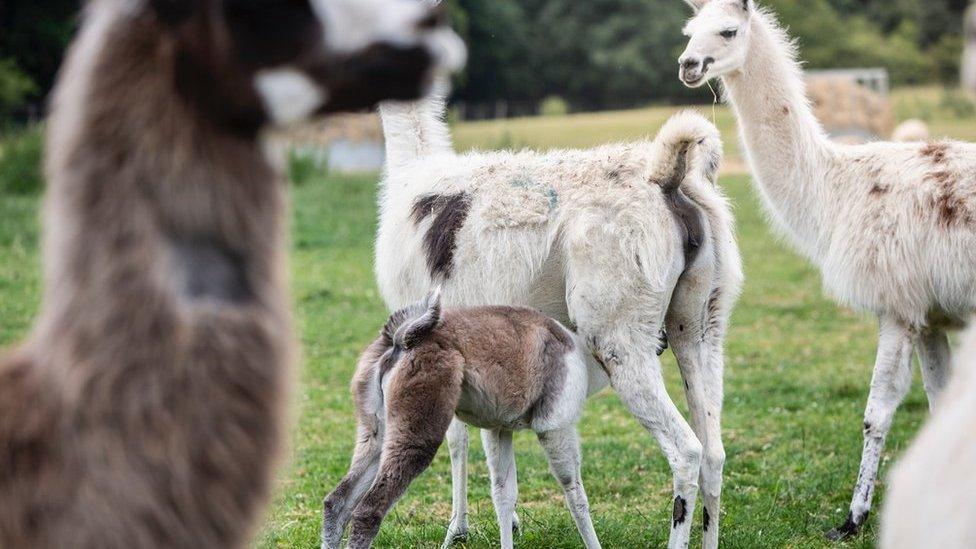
{"x": 450, "y": 212}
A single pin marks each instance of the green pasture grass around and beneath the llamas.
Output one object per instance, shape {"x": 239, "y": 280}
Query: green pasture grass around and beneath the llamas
{"x": 797, "y": 379}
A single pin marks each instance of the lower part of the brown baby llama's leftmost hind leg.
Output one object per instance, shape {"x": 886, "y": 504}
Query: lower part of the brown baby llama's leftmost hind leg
{"x": 339, "y": 504}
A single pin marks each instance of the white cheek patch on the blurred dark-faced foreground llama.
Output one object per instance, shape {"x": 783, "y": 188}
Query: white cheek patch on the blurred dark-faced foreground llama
{"x": 289, "y": 95}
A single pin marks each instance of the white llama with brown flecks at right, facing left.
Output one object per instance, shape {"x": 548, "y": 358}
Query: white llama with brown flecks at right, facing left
{"x": 891, "y": 226}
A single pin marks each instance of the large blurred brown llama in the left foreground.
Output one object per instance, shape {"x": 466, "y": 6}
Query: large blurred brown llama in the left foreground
{"x": 148, "y": 407}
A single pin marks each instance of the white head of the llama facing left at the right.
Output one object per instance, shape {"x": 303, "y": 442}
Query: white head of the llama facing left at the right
{"x": 718, "y": 40}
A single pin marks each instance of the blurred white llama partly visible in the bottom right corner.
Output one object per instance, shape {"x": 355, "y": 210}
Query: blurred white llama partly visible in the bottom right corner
{"x": 930, "y": 500}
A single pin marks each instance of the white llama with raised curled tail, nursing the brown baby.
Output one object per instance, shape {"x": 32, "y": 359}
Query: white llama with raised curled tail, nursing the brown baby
{"x": 618, "y": 242}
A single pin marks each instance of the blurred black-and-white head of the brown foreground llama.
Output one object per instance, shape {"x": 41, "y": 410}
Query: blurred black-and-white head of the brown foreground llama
{"x": 290, "y": 59}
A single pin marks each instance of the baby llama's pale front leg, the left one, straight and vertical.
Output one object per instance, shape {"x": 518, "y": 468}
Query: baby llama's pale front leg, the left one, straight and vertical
{"x": 504, "y": 483}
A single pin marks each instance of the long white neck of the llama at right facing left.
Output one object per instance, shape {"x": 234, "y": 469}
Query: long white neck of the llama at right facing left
{"x": 785, "y": 145}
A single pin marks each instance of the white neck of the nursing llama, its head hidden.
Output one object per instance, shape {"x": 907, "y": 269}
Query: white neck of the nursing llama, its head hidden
{"x": 416, "y": 130}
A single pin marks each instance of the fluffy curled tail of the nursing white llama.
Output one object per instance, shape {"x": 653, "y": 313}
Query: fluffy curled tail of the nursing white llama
{"x": 688, "y": 144}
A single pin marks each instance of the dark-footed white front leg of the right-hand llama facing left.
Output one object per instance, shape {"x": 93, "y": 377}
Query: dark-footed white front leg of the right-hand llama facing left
{"x": 889, "y": 385}
